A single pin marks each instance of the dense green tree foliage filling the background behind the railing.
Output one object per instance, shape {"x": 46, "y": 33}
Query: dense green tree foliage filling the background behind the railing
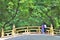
{"x": 29, "y": 13}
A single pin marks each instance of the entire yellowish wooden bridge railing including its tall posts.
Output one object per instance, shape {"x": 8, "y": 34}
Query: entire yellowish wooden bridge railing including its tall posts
{"x": 29, "y": 29}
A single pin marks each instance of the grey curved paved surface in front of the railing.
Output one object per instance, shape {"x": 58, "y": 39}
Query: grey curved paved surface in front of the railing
{"x": 34, "y": 37}
